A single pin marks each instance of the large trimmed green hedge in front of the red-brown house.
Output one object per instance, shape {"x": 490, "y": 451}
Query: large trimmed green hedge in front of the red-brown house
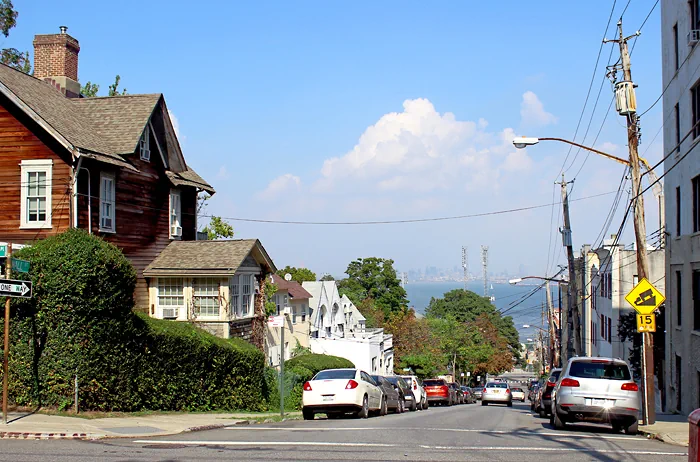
{"x": 80, "y": 322}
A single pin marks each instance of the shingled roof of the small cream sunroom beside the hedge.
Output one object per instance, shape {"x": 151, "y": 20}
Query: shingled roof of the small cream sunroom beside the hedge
{"x": 207, "y": 258}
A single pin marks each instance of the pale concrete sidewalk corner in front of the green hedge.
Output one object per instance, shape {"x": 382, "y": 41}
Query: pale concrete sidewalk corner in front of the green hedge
{"x": 42, "y": 426}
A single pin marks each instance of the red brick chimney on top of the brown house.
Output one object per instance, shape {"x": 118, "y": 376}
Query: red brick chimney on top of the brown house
{"x": 56, "y": 61}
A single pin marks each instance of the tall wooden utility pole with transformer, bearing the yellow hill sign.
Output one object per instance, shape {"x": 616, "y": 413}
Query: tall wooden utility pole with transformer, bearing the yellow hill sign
{"x": 627, "y": 106}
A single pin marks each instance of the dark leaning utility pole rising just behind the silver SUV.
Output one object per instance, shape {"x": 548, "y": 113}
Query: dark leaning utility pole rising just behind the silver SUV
{"x": 573, "y": 321}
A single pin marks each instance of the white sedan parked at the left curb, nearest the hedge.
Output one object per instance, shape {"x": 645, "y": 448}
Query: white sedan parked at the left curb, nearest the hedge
{"x": 335, "y": 392}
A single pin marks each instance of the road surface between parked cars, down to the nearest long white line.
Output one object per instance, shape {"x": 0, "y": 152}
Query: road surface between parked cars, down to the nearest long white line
{"x": 439, "y": 428}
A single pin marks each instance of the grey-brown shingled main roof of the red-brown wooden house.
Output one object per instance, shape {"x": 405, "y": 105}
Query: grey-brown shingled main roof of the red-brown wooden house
{"x": 104, "y": 128}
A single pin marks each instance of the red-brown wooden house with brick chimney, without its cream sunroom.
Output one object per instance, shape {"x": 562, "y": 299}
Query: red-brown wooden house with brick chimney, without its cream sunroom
{"x": 112, "y": 166}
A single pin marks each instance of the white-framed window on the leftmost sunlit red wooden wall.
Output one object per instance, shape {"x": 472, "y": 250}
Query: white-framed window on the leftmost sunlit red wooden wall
{"x": 35, "y": 208}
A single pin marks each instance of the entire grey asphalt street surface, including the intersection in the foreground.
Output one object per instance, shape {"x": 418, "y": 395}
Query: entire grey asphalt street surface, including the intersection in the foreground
{"x": 467, "y": 432}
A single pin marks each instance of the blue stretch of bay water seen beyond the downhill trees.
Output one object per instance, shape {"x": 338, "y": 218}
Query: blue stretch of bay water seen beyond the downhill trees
{"x": 507, "y": 295}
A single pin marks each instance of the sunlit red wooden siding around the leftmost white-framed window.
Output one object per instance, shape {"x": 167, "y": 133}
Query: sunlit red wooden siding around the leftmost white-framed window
{"x": 18, "y": 143}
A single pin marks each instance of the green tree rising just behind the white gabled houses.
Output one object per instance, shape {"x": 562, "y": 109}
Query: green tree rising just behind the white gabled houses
{"x": 374, "y": 278}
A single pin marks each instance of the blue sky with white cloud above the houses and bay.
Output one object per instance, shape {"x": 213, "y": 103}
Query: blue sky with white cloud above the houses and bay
{"x": 379, "y": 111}
